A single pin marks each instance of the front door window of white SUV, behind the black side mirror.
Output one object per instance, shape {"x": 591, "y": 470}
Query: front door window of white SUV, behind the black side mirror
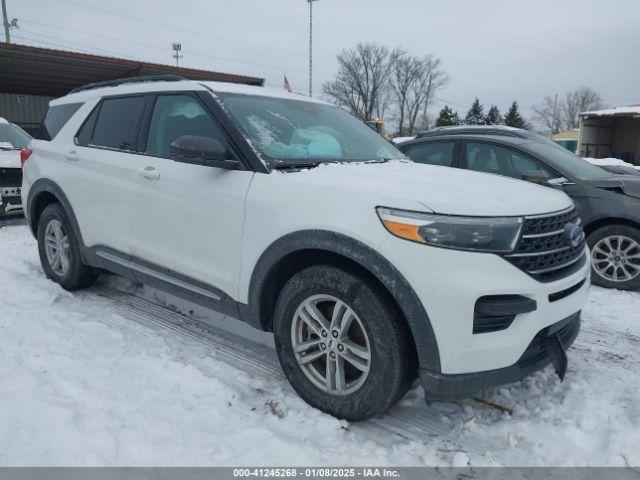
{"x": 178, "y": 115}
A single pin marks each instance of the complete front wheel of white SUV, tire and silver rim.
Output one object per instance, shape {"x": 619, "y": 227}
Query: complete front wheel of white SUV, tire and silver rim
{"x": 371, "y": 361}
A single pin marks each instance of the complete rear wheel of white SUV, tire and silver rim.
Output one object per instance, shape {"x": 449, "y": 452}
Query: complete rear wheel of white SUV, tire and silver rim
{"x": 60, "y": 250}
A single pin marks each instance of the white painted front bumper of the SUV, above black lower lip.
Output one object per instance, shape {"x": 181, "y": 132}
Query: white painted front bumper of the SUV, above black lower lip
{"x": 449, "y": 284}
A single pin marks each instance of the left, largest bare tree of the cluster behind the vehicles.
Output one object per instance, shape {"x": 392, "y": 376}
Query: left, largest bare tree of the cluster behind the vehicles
{"x": 362, "y": 80}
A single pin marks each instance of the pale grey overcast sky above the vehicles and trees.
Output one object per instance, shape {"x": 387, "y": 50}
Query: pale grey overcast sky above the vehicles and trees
{"x": 499, "y": 50}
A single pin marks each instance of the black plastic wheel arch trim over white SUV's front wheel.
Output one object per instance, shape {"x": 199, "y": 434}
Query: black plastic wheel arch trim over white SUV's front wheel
{"x": 296, "y": 251}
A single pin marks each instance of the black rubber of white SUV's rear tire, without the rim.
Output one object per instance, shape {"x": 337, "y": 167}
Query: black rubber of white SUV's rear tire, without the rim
{"x": 77, "y": 275}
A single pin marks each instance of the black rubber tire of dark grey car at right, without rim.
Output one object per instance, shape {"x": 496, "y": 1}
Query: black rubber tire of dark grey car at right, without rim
{"x": 595, "y": 237}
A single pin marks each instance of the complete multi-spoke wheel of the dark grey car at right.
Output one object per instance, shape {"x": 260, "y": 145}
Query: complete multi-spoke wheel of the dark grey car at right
{"x": 615, "y": 257}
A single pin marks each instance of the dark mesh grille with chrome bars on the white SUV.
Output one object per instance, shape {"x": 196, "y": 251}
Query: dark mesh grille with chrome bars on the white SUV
{"x": 544, "y": 251}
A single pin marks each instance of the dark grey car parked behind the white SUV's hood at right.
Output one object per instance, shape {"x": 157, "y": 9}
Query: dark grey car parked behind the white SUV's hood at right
{"x": 608, "y": 203}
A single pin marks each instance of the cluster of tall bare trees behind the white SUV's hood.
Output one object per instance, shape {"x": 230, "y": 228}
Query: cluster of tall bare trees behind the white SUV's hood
{"x": 376, "y": 82}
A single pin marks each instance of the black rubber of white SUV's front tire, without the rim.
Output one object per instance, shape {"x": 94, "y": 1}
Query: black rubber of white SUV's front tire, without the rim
{"x": 393, "y": 363}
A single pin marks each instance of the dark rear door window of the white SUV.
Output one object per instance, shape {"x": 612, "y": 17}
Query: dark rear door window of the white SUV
{"x": 114, "y": 124}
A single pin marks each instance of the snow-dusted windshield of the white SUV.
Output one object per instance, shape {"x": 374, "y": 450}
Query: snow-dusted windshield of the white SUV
{"x": 293, "y": 132}
